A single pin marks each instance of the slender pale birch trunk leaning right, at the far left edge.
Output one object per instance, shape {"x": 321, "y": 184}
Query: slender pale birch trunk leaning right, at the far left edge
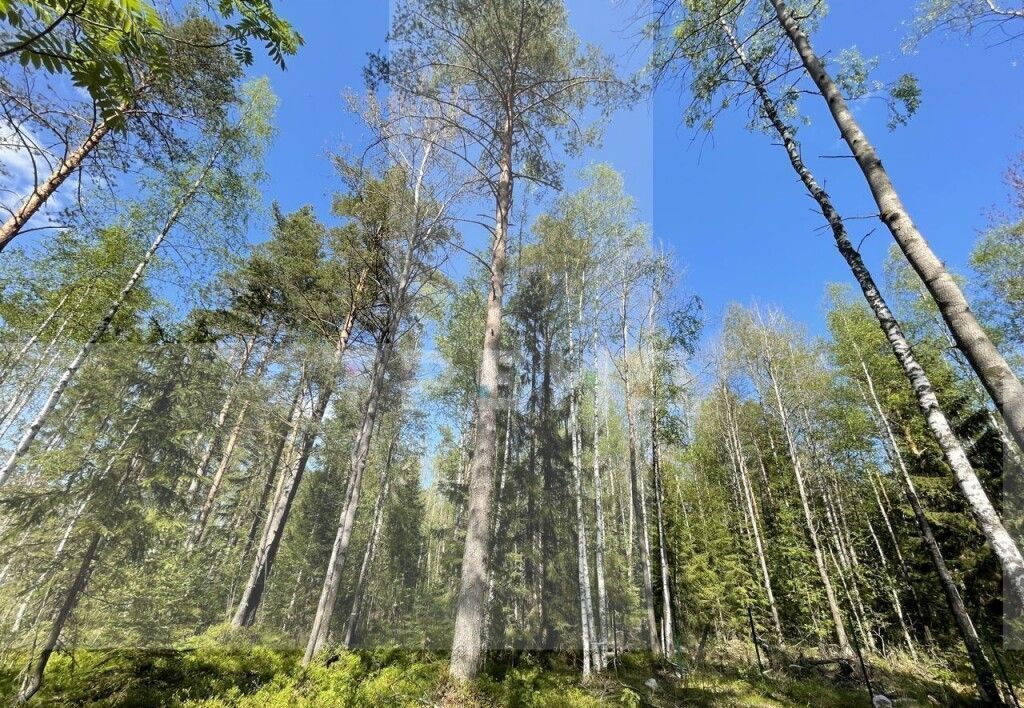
{"x": 55, "y": 398}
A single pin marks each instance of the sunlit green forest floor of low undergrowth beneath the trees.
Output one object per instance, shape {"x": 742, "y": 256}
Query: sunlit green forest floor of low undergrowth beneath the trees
{"x": 217, "y": 675}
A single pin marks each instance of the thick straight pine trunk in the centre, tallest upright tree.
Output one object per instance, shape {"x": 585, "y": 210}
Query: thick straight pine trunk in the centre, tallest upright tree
{"x": 471, "y": 607}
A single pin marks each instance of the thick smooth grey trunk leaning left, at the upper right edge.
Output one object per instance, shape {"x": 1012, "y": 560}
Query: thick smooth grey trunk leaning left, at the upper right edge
{"x": 989, "y": 364}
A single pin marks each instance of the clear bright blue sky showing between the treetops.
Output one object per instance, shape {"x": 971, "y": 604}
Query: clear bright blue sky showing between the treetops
{"x": 729, "y": 206}
